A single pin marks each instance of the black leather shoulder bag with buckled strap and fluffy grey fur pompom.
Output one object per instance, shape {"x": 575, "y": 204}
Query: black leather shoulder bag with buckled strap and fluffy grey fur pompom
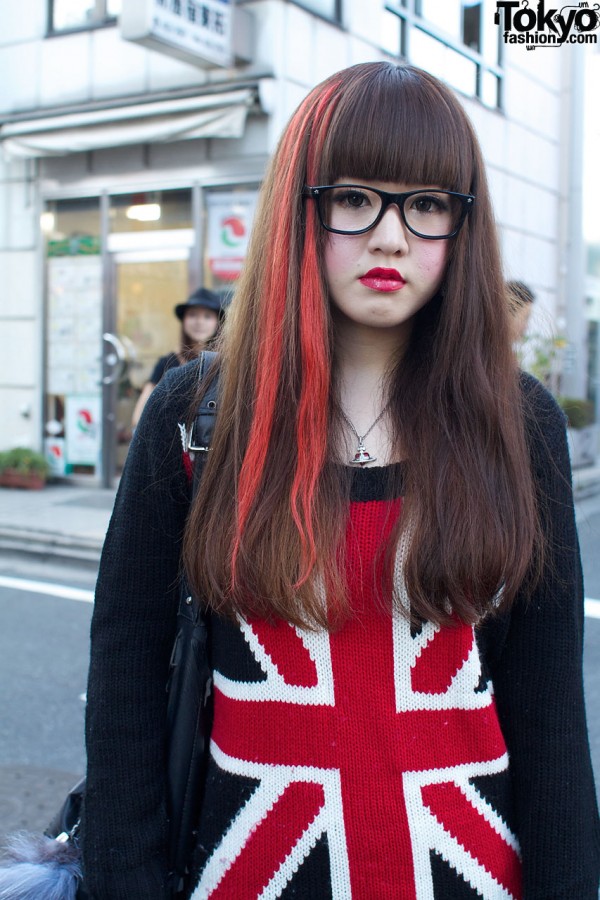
{"x": 48, "y": 866}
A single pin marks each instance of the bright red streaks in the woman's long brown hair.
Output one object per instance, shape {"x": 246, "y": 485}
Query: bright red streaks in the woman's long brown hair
{"x": 314, "y": 396}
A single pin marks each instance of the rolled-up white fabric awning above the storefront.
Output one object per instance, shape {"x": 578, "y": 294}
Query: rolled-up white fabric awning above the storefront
{"x": 212, "y": 115}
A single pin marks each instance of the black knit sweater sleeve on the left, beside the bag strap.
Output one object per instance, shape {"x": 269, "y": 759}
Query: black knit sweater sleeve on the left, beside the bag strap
{"x": 124, "y": 829}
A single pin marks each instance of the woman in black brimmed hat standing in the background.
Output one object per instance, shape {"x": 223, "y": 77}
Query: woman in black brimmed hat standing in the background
{"x": 200, "y": 317}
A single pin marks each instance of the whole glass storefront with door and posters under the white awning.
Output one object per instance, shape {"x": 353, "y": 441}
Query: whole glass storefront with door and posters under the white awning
{"x": 110, "y": 309}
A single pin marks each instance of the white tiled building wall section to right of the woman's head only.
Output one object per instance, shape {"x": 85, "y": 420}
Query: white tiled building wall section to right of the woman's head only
{"x": 522, "y": 146}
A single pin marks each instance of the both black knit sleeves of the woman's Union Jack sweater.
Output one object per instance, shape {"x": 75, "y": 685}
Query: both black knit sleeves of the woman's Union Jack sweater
{"x": 533, "y": 654}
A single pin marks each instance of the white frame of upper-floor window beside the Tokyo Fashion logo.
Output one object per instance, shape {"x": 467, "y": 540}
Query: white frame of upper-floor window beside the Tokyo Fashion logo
{"x": 411, "y": 20}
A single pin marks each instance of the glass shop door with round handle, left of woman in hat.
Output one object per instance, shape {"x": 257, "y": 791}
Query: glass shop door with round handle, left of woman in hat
{"x": 142, "y": 327}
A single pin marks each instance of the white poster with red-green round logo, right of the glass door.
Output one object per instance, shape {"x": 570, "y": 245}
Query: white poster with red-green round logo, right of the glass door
{"x": 230, "y": 216}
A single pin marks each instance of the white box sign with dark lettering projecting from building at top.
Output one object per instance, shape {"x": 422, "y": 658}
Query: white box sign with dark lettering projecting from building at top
{"x": 195, "y": 31}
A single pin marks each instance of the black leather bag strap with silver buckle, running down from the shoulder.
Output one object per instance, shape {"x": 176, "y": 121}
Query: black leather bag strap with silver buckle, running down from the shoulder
{"x": 189, "y": 703}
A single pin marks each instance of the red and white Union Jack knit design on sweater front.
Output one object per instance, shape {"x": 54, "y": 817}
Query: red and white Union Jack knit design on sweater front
{"x": 369, "y": 737}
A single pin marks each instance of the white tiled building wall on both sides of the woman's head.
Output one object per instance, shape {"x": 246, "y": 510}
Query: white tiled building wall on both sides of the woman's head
{"x": 524, "y": 145}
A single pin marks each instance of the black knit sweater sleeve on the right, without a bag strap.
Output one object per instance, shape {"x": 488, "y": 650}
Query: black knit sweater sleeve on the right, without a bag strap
{"x": 538, "y": 684}
